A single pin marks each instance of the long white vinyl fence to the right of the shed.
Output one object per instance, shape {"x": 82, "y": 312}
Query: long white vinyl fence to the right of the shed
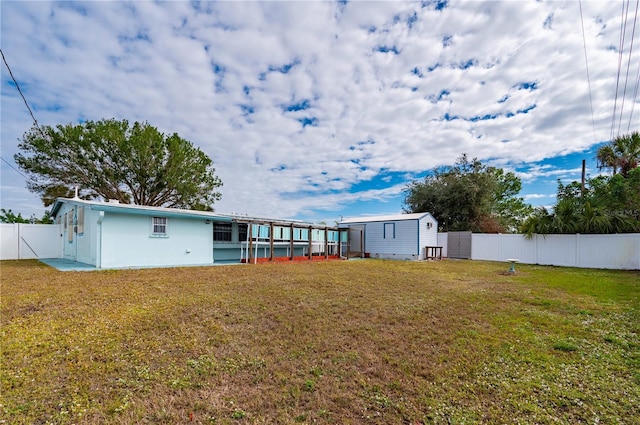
{"x": 618, "y": 251}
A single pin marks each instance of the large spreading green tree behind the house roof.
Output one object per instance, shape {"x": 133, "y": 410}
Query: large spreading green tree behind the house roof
{"x": 112, "y": 159}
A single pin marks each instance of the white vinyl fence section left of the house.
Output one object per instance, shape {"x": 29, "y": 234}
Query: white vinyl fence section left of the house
{"x": 23, "y": 241}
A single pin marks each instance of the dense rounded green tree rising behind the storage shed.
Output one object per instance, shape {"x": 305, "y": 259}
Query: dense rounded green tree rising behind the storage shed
{"x": 469, "y": 196}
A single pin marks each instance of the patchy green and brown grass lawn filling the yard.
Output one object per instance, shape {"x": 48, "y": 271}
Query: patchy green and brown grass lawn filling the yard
{"x": 333, "y": 342}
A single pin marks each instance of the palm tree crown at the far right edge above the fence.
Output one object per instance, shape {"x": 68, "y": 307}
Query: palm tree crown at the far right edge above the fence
{"x": 621, "y": 154}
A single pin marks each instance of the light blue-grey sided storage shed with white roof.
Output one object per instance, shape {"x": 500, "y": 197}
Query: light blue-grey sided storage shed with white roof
{"x": 400, "y": 236}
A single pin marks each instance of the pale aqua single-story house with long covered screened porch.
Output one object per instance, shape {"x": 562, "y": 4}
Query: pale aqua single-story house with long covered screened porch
{"x": 116, "y": 235}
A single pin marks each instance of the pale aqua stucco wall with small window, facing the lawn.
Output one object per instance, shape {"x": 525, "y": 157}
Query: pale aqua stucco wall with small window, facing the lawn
{"x": 126, "y": 241}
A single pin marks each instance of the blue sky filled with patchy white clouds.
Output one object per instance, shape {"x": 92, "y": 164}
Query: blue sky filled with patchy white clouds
{"x": 322, "y": 110}
